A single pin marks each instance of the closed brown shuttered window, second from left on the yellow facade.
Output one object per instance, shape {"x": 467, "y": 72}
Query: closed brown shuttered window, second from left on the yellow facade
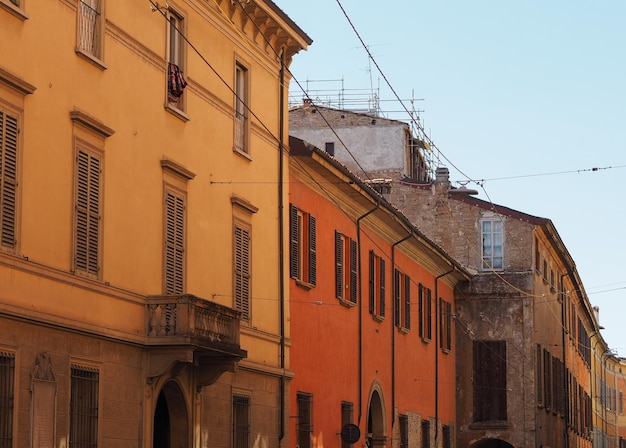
{"x": 87, "y": 213}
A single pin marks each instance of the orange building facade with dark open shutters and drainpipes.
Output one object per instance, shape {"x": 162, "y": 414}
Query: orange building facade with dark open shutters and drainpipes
{"x": 371, "y": 303}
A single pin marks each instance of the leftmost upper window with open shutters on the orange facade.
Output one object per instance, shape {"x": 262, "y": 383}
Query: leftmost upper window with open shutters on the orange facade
{"x": 302, "y": 246}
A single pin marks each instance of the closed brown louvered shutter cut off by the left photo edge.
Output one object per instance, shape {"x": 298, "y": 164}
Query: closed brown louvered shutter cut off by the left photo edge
{"x": 8, "y": 178}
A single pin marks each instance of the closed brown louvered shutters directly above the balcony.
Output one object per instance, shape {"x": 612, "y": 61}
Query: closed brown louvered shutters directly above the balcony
{"x": 174, "y": 243}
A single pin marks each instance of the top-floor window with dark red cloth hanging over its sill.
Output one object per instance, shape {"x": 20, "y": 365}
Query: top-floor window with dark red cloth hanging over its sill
{"x": 176, "y": 60}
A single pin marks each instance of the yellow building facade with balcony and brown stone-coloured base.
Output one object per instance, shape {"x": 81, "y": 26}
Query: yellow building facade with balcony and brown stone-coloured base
{"x": 142, "y": 298}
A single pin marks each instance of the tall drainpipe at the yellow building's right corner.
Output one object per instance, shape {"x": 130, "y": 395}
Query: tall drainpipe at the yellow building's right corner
{"x": 281, "y": 231}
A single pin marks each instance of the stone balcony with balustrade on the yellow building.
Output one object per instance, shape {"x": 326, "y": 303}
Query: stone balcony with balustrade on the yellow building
{"x": 186, "y": 330}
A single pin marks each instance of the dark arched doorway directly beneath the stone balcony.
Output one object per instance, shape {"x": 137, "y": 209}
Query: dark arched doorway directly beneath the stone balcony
{"x": 171, "y": 420}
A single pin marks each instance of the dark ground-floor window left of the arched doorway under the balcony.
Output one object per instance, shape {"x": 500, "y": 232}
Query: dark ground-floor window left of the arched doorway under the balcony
{"x": 84, "y": 407}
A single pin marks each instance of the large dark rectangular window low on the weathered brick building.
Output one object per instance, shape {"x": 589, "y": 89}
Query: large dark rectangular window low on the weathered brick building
{"x": 489, "y": 373}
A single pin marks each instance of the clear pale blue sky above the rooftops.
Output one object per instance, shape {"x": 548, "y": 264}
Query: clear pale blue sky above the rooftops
{"x": 528, "y": 96}
